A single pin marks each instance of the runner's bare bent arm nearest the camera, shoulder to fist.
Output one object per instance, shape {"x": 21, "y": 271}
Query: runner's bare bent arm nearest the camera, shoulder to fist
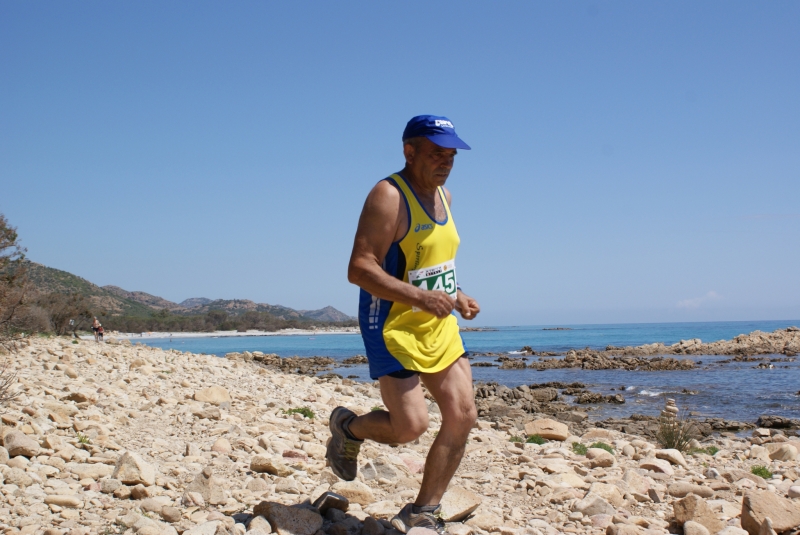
{"x": 378, "y": 226}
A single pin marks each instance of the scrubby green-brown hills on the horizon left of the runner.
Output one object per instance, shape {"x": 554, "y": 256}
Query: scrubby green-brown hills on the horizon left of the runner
{"x": 116, "y": 301}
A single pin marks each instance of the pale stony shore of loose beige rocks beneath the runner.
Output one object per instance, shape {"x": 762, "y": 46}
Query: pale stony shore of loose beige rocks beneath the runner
{"x": 129, "y": 439}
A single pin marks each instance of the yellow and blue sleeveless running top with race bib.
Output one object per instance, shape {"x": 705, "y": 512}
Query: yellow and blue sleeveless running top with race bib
{"x": 398, "y": 336}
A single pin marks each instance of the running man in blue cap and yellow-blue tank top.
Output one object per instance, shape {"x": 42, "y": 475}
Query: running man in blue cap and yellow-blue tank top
{"x": 404, "y": 261}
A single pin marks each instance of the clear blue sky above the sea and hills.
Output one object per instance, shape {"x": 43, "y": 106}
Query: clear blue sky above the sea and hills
{"x": 632, "y": 162}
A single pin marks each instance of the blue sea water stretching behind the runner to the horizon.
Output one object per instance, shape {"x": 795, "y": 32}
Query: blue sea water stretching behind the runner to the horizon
{"x": 734, "y": 390}
